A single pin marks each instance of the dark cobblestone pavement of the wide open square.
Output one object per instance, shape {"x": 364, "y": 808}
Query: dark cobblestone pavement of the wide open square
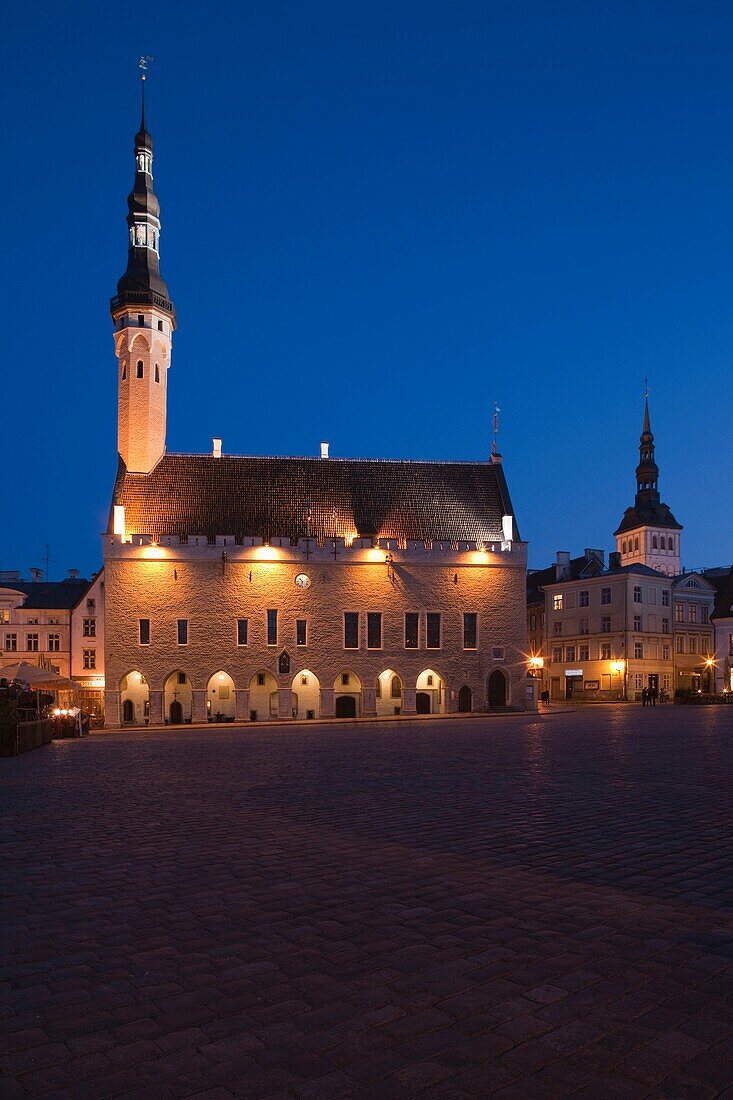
{"x": 518, "y": 907}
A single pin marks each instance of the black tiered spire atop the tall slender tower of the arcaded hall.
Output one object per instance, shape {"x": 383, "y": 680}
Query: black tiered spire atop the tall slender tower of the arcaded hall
{"x": 143, "y": 283}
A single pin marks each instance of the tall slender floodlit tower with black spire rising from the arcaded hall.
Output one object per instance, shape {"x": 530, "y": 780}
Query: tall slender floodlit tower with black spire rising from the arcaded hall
{"x": 145, "y": 320}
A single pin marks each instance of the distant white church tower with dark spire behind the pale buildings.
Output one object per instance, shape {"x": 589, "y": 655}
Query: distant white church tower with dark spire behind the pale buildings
{"x": 649, "y": 534}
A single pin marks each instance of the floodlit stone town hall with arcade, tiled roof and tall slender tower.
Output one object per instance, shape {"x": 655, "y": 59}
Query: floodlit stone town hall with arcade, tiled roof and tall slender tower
{"x": 245, "y": 589}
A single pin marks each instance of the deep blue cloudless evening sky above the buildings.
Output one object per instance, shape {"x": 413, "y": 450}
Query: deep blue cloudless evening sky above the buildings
{"x": 377, "y": 219}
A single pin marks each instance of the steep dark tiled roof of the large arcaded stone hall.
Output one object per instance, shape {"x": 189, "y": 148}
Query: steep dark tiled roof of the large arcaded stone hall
{"x": 198, "y": 494}
